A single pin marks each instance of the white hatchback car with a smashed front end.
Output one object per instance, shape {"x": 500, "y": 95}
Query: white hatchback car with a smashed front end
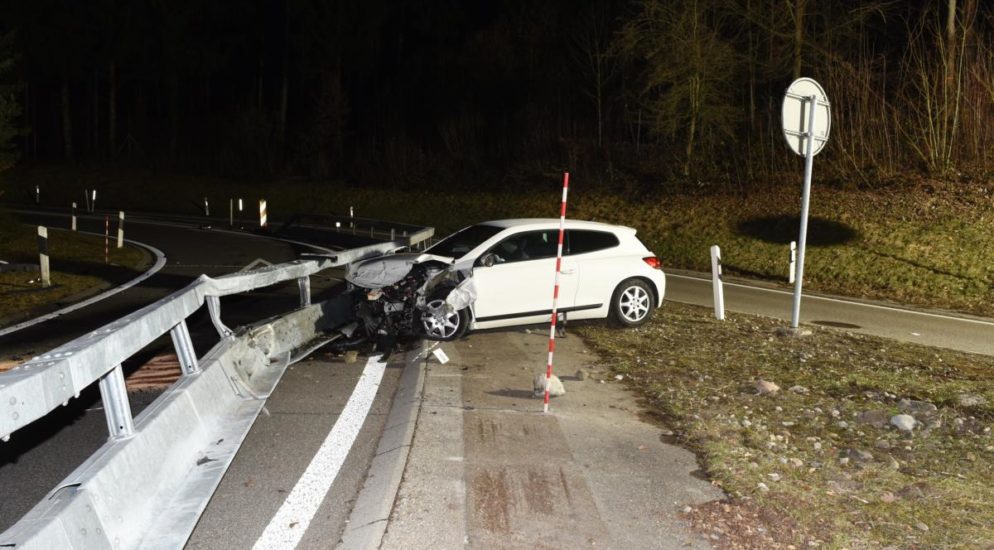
{"x": 509, "y": 270}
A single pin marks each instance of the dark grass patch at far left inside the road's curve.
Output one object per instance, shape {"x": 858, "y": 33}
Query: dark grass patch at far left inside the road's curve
{"x": 77, "y": 266}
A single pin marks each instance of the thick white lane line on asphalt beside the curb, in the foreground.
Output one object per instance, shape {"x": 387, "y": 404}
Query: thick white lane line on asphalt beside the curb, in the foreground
{"x": 294, "y": 516}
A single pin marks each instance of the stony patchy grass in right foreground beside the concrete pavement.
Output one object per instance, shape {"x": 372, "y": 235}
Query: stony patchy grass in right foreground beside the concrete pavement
{"x": 809, "y": 456}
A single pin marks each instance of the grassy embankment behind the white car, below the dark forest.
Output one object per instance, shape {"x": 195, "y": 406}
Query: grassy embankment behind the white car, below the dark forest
{"x": 925, "y": 243}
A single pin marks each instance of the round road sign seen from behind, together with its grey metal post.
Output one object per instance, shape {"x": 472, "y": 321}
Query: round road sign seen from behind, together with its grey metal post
{"x": 807, "y": 119}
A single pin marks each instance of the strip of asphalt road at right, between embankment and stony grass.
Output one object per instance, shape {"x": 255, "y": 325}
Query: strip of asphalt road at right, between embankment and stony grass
{"x": 931, "y": 328}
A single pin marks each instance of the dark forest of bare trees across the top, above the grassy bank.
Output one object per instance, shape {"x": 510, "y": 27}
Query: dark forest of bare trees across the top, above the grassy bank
{"x": 444, "y": 91}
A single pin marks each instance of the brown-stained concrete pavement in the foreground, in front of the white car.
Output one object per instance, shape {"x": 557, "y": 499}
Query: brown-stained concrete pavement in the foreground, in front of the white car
{"x": 467, "y": 458}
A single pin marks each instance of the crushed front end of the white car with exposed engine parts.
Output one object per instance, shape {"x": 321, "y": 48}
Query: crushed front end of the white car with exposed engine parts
{"x": 403, "y": 297}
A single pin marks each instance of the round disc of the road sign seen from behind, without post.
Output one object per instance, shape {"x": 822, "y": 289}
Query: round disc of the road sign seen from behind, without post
{"x": 797, "y": 114}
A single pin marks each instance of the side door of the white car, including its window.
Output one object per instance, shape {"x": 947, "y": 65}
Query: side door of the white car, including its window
{"x": 517, "y": 288}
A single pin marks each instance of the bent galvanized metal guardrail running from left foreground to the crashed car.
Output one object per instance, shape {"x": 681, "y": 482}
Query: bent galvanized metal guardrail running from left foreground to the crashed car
{"x": 147, "y": 486}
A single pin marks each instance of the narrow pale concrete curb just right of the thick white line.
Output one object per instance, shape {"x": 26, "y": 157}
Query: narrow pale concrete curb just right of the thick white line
{"x": 368, "y": 520}
